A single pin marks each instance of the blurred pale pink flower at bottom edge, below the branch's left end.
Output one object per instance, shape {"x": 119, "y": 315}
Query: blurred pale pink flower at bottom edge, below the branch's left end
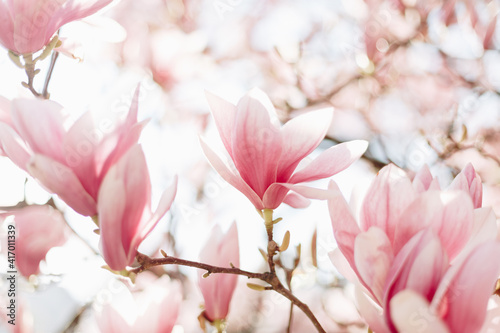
{"x": 154, "y": 309}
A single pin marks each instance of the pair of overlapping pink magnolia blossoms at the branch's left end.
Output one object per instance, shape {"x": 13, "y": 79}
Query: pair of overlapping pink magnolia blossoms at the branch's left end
{"x": 99, "y": 172}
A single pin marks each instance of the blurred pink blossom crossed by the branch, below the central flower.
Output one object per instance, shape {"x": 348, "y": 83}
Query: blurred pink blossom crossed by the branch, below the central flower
{"x": 220, "y": 250}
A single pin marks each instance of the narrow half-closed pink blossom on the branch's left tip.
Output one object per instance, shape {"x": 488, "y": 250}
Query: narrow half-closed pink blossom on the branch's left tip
{"x": 125, "y": 217}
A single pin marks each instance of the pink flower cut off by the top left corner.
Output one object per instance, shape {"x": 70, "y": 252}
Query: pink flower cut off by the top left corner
{"x": 26, "y": 26}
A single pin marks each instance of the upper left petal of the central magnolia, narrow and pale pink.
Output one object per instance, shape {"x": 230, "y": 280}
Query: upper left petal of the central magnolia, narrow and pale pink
{"x": 224, "y": 114}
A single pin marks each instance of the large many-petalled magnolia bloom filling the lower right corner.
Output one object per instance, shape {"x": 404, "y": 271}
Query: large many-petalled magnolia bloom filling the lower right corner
{"x": 418, "y": 253}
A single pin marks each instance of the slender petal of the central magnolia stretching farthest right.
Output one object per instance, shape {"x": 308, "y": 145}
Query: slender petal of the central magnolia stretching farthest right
{"x": 331, "y": 161}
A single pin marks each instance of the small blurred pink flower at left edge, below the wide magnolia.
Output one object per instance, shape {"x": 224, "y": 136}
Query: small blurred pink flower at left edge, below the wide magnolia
{"x": 38, "y": 229}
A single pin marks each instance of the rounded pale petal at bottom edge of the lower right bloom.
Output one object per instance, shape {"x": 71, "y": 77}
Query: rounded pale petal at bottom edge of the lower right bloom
{"x": 411, "y": 314}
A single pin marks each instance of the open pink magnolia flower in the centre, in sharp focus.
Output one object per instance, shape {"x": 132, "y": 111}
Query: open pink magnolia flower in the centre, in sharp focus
{"x": 265, "y": 156}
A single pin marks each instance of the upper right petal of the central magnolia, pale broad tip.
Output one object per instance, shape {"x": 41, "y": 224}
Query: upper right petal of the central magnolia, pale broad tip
{"x": 301, "y": 135}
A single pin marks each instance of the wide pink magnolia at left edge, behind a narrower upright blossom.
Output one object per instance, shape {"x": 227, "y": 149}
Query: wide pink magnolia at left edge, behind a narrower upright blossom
{"x": 70, "y": 161}
